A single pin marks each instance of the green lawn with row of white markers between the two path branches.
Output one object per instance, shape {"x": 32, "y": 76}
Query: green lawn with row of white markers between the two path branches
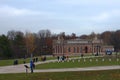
{"x": 88, "y": 62}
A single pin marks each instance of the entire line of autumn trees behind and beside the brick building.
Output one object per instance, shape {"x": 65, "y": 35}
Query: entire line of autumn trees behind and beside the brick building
{"x": 17, "y": 44}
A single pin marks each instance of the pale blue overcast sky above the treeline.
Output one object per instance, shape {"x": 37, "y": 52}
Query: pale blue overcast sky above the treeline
{"x": 69, "y": 16}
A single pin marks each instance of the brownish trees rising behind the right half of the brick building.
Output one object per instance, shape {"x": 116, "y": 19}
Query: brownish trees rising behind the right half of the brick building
{"x": 108, "y": 37}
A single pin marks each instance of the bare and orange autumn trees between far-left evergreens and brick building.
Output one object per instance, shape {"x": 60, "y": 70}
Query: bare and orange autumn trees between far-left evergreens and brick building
{"x": 22, "y": 45}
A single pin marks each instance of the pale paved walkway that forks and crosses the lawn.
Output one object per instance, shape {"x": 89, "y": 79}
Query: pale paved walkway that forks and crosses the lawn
{"x": 21, "y": 69}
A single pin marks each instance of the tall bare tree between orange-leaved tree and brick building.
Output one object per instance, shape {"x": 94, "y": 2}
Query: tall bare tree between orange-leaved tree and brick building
{"x": 44, "y": 39}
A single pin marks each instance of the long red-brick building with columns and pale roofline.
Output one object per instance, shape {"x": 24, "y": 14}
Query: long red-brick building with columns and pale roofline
{"x": 79, "y": 46}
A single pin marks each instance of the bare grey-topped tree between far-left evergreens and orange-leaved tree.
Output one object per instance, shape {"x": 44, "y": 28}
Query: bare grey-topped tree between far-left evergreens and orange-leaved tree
{"x": 16, "y": 39}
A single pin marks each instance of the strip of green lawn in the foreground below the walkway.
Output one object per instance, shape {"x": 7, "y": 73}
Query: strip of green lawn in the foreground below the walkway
{"x": 86, "y": 75}
